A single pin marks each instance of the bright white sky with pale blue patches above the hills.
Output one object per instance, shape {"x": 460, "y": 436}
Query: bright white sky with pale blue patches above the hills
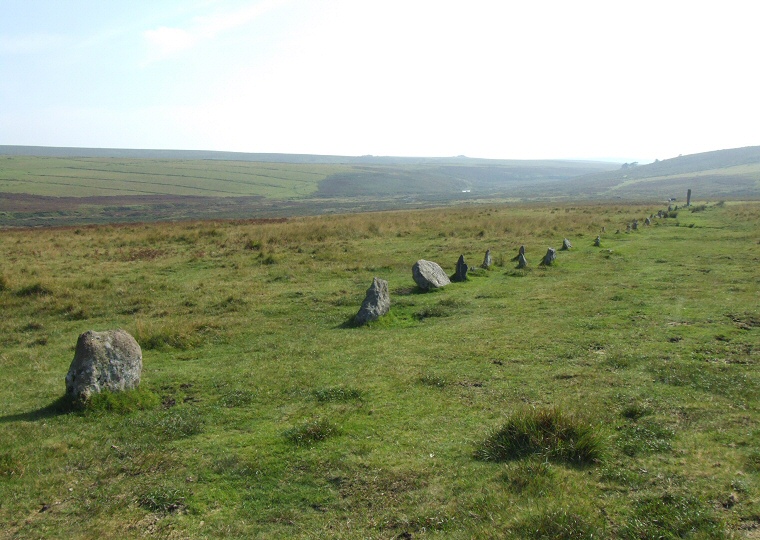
{"x": 615, "y": 80}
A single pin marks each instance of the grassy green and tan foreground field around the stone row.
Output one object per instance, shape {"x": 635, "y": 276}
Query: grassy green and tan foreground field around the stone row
{"x": 612, "y": 395}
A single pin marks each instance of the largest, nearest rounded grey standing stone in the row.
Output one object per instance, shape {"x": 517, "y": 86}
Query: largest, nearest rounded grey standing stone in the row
{"x": 110, "y": 360}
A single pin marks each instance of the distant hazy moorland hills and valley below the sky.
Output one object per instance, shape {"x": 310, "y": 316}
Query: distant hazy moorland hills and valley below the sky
{"x": 69, "y": 186}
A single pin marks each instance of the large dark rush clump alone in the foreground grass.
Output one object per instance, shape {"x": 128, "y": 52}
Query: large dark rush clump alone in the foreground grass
{"x": 545, "y": 433}
